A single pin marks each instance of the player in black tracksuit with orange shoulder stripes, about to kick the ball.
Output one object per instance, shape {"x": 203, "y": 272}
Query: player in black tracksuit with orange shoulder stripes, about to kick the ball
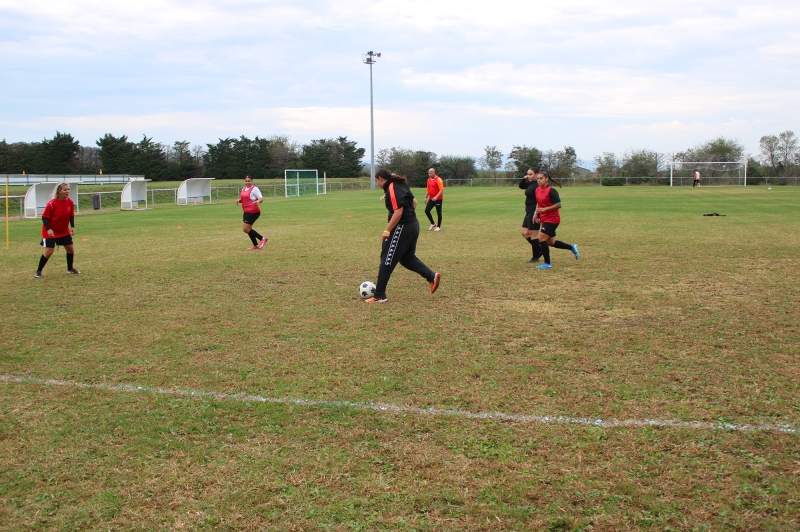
{"x": 400, "y": 236}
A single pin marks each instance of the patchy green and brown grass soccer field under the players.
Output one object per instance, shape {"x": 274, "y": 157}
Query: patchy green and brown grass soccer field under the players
{"x": 250, "y": 377}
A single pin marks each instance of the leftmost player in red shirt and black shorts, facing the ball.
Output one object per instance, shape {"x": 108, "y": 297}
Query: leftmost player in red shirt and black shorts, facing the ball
{"x": 58, "y": 226}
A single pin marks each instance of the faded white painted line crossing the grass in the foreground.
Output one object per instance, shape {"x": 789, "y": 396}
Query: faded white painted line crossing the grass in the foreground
{"x": 384, "y": 407}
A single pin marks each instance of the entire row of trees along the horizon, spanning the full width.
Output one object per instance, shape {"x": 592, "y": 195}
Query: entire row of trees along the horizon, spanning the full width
{"x": 779, "y": 156}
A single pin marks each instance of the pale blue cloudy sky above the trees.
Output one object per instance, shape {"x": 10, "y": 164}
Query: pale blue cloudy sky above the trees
{"x": 453, "y": 76}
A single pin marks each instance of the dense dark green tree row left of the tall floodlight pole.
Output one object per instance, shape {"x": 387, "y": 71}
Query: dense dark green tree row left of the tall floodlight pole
{"x": 230, "y": 158}
